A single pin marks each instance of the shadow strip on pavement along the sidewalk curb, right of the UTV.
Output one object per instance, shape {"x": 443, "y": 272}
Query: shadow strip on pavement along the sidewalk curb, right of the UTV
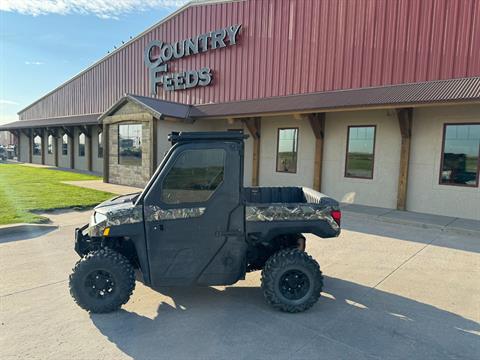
{"x": 437, "y": 237}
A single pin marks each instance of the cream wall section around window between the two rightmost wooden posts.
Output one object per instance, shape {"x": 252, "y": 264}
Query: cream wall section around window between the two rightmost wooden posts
{"x": 382, "y": 189}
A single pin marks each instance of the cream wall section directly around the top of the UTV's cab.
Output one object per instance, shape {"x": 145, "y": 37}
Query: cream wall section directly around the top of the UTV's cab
{"x": 164, "y": 128}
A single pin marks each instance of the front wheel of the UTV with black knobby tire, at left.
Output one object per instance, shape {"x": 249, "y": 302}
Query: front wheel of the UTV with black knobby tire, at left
{"x": 102, "y": 281}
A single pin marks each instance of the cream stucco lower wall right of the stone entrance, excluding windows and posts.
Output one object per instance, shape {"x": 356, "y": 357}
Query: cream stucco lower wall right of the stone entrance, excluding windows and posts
{"x": 424, "y": 192}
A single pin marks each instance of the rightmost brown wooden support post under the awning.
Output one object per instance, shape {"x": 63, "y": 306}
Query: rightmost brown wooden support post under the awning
{"x": 405, "y": 117}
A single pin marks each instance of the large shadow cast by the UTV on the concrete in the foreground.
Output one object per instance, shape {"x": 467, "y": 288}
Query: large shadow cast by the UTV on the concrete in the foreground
{"x": 350, "y": 321}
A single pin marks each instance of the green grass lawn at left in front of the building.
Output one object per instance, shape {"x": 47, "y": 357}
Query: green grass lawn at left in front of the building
{"x": 24, "y": 189}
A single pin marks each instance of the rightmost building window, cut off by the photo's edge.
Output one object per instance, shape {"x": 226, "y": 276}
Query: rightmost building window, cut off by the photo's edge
{"x": 460, "y": 155}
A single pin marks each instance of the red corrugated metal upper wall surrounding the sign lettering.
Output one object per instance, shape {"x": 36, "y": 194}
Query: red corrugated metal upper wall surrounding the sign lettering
{"x": 290, "y": 47}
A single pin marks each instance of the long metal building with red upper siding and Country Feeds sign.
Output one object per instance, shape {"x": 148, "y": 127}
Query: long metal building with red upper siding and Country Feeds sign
{"x": 374, "y": 102}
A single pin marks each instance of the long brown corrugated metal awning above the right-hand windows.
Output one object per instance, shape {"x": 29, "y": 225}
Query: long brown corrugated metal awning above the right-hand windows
{"x": 431, "y": 92}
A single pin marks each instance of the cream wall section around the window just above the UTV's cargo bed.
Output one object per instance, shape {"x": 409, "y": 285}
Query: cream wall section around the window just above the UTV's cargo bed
{"x": 268, "y": 152}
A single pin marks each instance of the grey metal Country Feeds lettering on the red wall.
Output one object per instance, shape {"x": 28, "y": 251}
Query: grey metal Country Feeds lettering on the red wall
{"x": 158, "y": 67}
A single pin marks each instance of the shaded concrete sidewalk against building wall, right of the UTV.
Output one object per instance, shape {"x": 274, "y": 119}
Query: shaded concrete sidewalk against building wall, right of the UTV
{"x": 423, "y": 220}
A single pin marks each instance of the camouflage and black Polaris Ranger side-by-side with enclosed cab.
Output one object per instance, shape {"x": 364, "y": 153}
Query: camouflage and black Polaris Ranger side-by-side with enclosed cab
{"x": 195, "y": 224}
